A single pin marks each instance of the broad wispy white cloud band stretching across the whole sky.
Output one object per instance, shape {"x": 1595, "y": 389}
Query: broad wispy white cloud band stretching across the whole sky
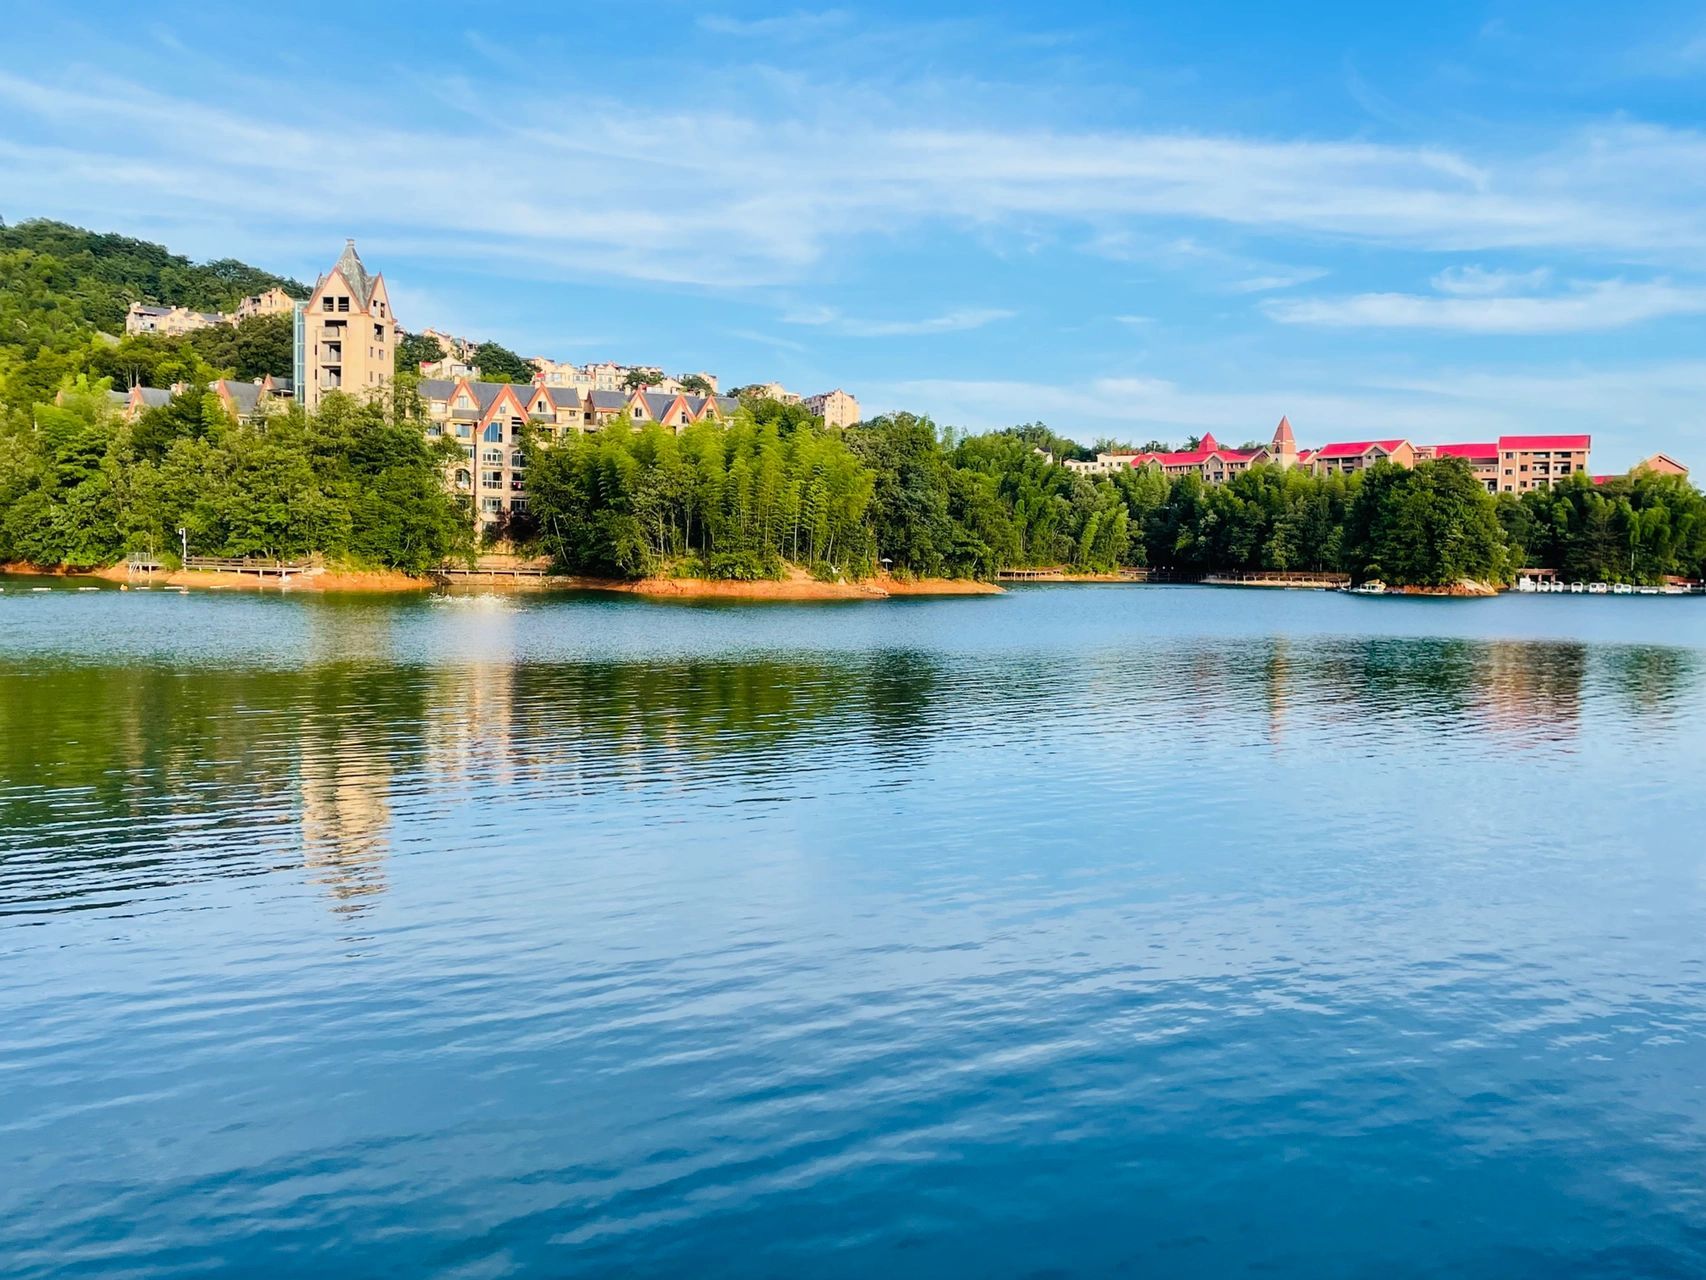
{"x": 765, "y": 194}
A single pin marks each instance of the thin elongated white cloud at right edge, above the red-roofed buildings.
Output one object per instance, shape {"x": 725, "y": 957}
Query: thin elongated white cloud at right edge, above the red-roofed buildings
{"x": 1608, "y": 305}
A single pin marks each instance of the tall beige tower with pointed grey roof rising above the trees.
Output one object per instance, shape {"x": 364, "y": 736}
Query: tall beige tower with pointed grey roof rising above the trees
{"x": 345, "y": 334}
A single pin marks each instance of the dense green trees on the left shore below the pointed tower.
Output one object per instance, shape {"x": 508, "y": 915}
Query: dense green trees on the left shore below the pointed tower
{"x": 81, "y": 487}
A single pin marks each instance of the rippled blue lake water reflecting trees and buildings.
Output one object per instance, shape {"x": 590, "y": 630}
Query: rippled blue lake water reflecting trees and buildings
{"x": 1127, "y": 931}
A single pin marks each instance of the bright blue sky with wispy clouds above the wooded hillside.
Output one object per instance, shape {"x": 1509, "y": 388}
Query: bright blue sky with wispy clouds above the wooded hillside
{"x": 1439, "y": 221}
